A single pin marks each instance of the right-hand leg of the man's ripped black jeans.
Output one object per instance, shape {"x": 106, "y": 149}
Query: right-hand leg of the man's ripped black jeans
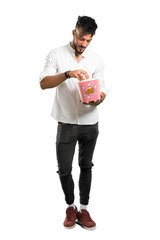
{"x": 87, "y": 142}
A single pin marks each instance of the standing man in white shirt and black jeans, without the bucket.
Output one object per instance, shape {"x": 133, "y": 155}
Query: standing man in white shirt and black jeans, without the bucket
{"x": 77, "y": 121}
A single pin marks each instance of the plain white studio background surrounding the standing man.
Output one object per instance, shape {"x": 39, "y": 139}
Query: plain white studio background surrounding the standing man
{"x": 125, "y": 193}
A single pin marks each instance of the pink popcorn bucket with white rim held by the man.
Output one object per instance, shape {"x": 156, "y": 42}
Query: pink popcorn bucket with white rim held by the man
{"x": 89, "y": 90}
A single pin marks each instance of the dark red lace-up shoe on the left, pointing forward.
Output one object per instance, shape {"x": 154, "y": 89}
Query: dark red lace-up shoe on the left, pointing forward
{"x": 71, "y": 215}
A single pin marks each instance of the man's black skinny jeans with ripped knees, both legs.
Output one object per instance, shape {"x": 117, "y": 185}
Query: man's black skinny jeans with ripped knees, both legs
{"x": 67, "y": 137}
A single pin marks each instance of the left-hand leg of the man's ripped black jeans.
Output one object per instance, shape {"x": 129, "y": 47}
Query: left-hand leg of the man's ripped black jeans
{"x": 65, "y": 147}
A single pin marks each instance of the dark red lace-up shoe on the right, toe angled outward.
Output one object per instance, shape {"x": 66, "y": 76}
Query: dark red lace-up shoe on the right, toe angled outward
{"x": 85, "y": 220}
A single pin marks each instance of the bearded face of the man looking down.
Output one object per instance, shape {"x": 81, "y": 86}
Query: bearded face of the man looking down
{"x": 80, "y": 41}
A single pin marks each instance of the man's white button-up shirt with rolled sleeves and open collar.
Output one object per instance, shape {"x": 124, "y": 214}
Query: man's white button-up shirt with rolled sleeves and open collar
{"x": 67, "y": 107}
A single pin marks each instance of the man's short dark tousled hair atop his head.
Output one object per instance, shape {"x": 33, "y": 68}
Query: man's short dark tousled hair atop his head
{"x": 87, "y": 24}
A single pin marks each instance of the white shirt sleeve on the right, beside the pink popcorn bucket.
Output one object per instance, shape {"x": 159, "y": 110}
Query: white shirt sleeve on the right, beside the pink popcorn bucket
{"x": 99, "y": 73}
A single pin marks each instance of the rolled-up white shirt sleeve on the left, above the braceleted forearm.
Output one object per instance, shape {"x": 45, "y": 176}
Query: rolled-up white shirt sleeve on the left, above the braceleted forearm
{"x": 50, "y": 68}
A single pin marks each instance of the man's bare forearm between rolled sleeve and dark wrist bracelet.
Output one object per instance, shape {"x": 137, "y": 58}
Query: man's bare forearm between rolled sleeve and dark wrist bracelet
{"x": 52, "y": 81}
